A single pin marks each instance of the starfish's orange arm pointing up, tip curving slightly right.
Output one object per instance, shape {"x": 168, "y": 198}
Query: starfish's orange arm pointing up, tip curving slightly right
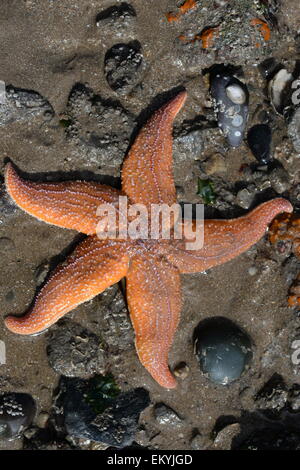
{"x": 147, "y": 173}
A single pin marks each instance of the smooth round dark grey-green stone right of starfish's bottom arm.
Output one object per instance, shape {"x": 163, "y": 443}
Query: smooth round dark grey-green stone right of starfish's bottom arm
{"x": 223, "y": 349}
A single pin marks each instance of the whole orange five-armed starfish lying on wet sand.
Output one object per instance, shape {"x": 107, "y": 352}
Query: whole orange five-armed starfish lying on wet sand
{"x": 152, "y": 267}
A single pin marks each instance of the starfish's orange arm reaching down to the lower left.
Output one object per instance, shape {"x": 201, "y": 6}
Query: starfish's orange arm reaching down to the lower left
{"x": 90, "y": 269}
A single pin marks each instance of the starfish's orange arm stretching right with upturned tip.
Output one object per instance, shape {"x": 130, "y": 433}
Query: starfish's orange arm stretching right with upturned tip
{"x": 224, "y": 239}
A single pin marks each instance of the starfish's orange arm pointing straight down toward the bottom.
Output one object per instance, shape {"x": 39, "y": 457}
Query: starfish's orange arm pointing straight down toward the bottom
{"x": 154, "y": 301}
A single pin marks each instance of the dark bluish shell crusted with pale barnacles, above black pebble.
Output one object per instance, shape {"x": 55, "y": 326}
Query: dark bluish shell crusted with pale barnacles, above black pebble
{"x": 231, "y": 98}
